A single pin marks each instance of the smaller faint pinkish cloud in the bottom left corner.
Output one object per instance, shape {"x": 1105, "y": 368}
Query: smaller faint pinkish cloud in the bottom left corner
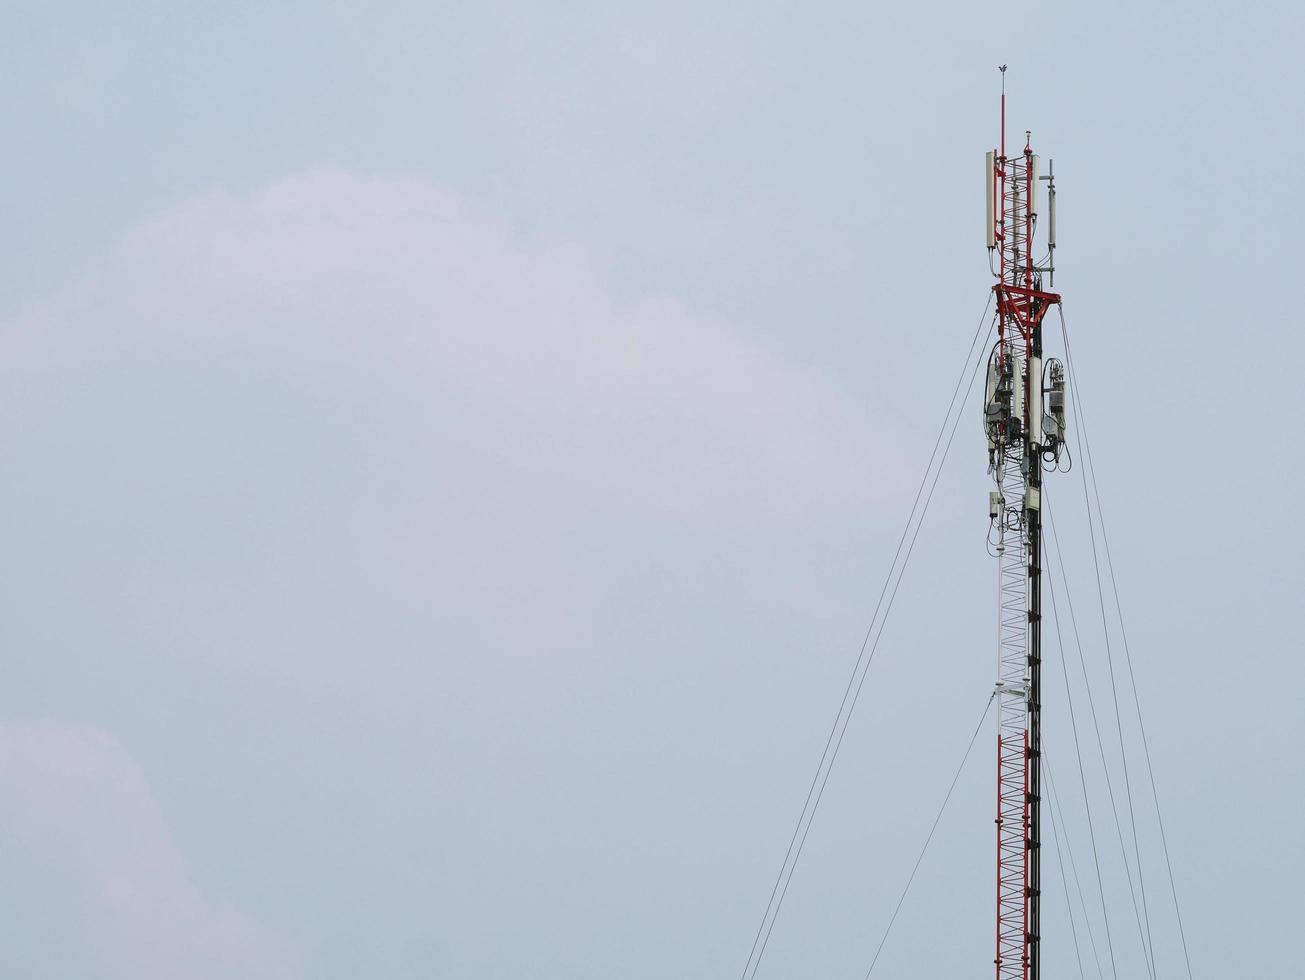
{"x": 74, "y": 794}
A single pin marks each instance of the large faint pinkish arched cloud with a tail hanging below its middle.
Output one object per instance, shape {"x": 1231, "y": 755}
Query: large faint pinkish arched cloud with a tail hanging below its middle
{"x": 549, "y": 406}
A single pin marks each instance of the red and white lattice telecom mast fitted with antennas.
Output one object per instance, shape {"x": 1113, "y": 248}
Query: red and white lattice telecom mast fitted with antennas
{"x": 1022, "y": 440}
